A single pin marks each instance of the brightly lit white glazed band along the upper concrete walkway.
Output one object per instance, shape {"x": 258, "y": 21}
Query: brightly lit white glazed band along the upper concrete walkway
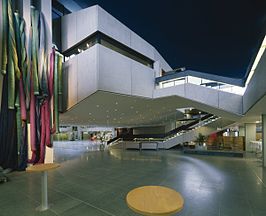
{"x": 203, "y": 82}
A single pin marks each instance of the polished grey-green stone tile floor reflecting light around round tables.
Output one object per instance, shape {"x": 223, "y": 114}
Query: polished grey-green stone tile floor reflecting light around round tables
{"x": 95, "y": 183}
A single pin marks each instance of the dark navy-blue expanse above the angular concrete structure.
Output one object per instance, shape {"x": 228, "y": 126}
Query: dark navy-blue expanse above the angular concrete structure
{"x": 214, "y": 36}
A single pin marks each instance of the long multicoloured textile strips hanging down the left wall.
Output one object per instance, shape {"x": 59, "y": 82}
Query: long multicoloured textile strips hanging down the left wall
{"x": 31, "y": 85}
